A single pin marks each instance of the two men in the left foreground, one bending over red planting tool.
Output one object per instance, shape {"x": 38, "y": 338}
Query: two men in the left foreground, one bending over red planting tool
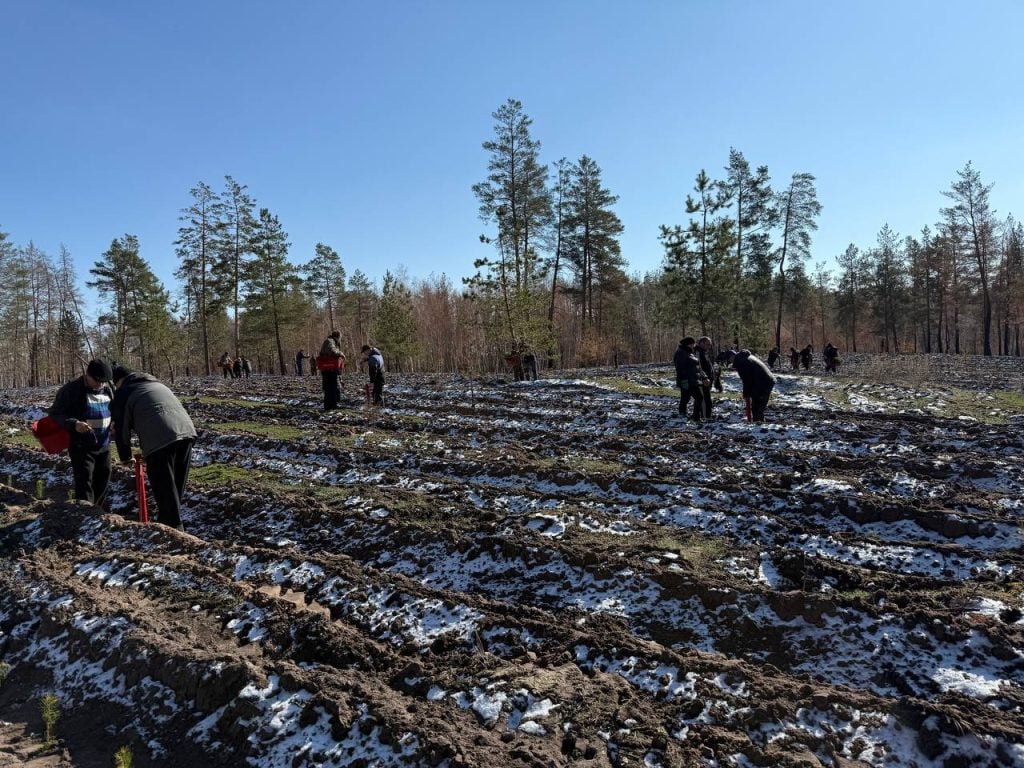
{"x": 109, "y": 404}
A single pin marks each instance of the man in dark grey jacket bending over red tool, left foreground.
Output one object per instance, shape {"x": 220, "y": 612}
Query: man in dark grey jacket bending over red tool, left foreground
{"x": 148, "y": 408}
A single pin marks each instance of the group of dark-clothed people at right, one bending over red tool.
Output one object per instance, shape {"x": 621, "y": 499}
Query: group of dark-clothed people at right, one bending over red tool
{"x": 697, "y": 375}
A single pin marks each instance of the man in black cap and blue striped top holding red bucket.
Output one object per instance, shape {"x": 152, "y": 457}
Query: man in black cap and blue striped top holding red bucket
{"x": 83, "y": 408}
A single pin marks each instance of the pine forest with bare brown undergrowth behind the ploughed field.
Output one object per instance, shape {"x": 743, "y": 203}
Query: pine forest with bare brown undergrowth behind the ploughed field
{"x": 552, "y": 280}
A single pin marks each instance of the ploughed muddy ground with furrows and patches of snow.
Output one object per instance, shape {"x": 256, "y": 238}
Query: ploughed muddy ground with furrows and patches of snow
{"x": 558, "y": 573}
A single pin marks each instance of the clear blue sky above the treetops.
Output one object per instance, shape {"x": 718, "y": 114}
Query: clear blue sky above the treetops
{"x": 360, "y": 124}
